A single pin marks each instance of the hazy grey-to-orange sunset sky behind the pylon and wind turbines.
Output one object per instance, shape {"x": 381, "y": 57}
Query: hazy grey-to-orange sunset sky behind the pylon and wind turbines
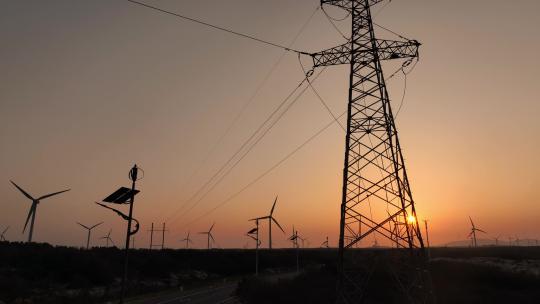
{"x": 88, "y": 88}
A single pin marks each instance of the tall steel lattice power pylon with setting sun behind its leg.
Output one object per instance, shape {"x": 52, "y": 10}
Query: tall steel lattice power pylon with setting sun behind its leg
{"x": 376, "y": 196}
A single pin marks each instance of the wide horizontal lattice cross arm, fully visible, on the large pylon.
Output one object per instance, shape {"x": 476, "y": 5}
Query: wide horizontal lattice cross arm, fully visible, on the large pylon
{"x": 386, "y": 50}
